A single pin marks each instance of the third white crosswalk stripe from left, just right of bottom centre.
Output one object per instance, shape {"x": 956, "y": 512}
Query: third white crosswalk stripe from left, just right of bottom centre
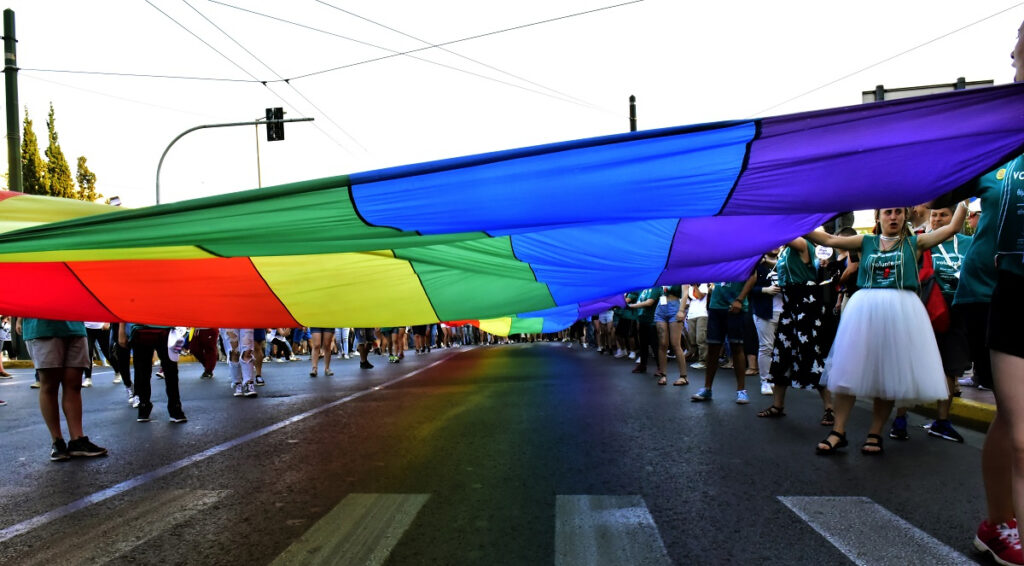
{"x": 607, "y": 530}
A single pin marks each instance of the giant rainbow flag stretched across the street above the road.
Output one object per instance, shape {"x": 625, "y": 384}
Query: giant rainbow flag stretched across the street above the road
{"x": 522, "y": 241}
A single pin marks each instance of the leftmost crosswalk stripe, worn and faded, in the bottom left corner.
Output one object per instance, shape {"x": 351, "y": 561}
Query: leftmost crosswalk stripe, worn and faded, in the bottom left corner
{"x": 98, "y": 543}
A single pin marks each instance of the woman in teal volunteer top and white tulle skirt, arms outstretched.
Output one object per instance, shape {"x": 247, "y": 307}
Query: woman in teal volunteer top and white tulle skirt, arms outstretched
{"x": 885, "y": 347}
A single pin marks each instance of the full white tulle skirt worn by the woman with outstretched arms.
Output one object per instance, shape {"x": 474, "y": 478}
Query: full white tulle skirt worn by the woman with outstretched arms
{"x": 885, "y": 349}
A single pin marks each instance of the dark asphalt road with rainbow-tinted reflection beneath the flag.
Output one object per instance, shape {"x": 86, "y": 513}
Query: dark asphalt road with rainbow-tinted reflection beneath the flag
{"x": 531, "y": 454}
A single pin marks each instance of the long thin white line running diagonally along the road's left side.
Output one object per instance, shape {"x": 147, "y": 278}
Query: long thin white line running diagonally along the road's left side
{"x": 29, "y": 525}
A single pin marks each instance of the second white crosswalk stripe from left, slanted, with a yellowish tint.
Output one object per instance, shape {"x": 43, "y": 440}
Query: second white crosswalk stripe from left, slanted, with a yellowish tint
{"x": 362, "y": 530}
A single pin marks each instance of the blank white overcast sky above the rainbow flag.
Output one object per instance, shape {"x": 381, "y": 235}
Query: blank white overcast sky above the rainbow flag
{"x": 686, "y": 62}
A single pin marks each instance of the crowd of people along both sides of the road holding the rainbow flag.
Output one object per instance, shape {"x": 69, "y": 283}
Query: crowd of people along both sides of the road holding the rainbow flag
{"x": 897, "y": 316}
